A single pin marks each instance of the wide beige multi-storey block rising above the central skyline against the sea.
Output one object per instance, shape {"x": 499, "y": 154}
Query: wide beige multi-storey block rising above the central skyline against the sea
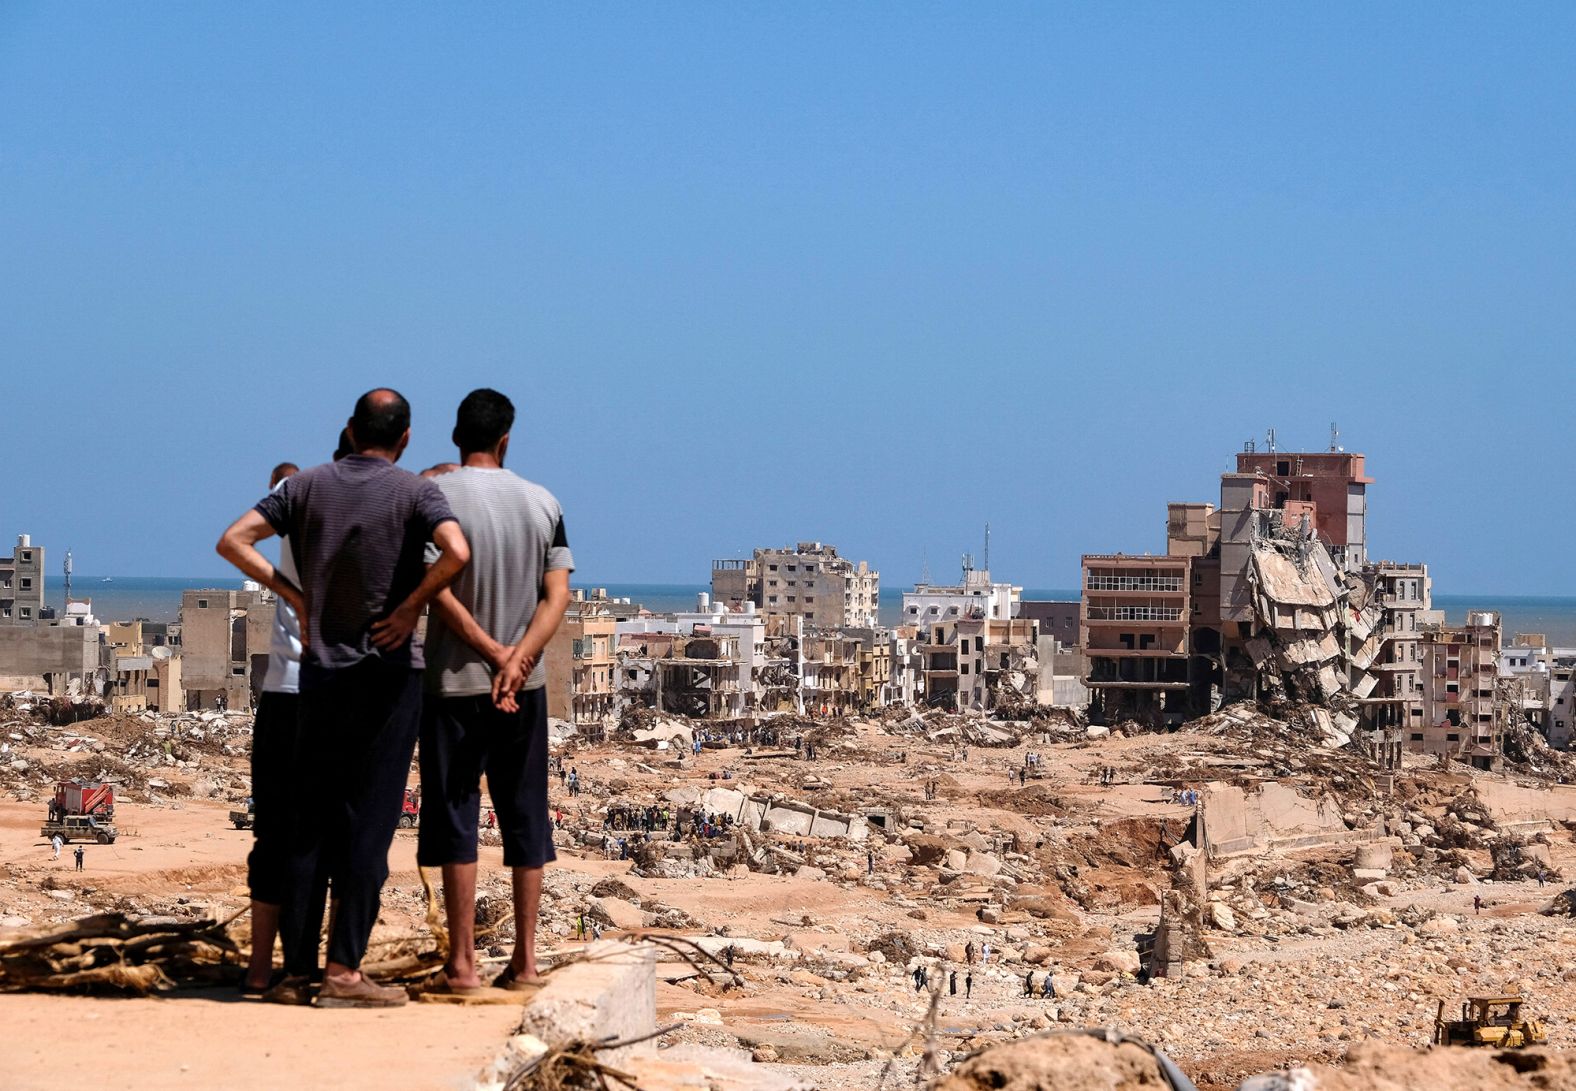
{"x": 809, "y": 583}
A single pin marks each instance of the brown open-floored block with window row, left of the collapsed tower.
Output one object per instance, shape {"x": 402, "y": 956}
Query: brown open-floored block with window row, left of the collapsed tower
{"x": 1137, "y": 620}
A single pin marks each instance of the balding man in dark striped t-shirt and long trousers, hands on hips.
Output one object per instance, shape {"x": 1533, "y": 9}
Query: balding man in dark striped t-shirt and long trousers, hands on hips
{"x": 357, "y": 531}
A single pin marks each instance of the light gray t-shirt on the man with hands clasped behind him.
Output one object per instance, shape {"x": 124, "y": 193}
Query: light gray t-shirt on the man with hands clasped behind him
{"x": 516, "y": 531}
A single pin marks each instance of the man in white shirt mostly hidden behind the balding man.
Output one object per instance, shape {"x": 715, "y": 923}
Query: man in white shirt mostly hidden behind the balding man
{"x": 273, "y": 745}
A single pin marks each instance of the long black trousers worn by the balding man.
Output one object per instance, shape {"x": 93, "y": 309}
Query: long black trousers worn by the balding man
{"x": 355, "y": 739}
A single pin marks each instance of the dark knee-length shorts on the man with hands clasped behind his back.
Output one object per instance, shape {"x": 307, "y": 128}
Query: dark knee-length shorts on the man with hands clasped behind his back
{"x": 461, "y": 740}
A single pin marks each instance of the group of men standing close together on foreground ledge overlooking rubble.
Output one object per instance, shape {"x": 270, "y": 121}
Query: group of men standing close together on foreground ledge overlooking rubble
{"x": 370, "y": 549}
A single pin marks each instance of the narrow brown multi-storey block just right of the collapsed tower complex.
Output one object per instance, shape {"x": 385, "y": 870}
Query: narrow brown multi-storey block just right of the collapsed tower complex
{"x": 1462, "y": 715}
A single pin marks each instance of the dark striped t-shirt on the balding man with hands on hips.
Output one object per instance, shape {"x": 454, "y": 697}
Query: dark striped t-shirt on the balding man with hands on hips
{"x": 359, "y": 532}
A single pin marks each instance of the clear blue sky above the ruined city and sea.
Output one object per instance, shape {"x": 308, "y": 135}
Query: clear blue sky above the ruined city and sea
{"x": 872, "y": 275}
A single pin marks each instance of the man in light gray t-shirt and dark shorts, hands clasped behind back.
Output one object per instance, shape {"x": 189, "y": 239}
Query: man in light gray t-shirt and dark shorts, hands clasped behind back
{"x": 486, "y": 707}
